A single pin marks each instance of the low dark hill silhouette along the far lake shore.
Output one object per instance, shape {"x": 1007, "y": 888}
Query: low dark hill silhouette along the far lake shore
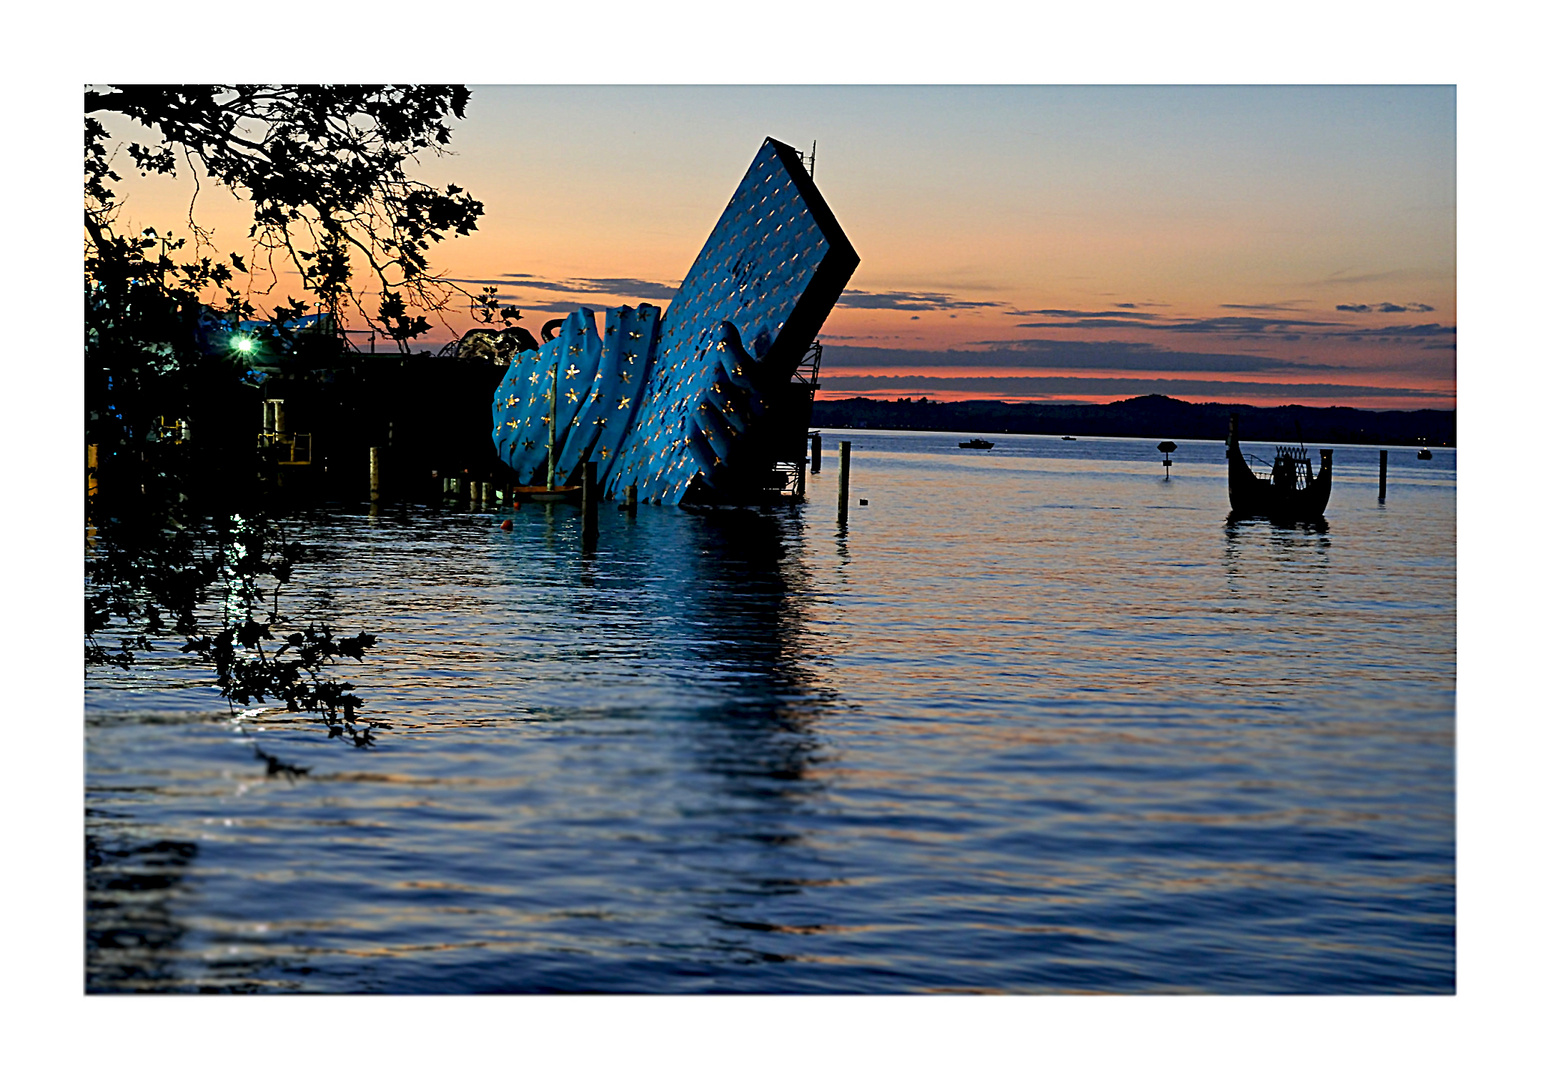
{"x": 1153, "y": 417}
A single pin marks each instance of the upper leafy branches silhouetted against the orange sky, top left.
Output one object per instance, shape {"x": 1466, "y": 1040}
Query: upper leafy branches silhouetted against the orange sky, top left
{"x": 324, "y": 170}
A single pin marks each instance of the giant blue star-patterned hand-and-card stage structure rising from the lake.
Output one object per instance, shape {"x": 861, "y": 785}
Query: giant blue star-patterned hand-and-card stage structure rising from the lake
{"x": 711, "y": 401}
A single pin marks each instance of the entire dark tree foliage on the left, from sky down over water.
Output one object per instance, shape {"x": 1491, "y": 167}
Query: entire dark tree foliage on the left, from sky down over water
{"x": 180, "y": 535}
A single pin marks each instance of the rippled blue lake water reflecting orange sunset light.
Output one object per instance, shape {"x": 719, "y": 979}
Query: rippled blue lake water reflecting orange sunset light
{"x": 1036, "y": 722}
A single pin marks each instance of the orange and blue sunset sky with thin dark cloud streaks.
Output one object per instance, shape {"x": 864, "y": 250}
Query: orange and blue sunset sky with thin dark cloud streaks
{"x": 1274, "y": 244}
